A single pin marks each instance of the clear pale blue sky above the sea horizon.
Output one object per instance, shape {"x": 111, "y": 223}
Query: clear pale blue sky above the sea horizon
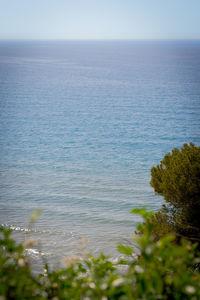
{"x": 99, "y": 19}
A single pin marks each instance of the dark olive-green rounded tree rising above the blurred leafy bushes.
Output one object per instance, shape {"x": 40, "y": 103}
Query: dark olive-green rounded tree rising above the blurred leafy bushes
{"x": 177, "y": 179}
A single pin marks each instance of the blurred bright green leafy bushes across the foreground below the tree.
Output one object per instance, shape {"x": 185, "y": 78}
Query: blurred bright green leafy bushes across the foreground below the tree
{"x": 162, "y": 271}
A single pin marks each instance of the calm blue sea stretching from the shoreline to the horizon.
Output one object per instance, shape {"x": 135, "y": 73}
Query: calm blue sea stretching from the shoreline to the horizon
{"x": 82, "y": 123}
